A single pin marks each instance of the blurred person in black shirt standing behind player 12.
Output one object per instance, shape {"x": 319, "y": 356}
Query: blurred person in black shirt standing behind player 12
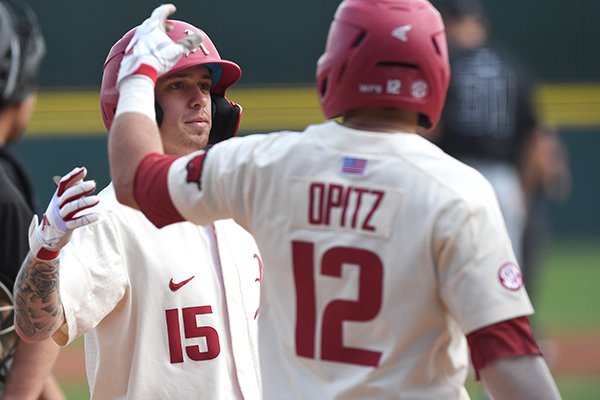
{"x": 490, "y": 122}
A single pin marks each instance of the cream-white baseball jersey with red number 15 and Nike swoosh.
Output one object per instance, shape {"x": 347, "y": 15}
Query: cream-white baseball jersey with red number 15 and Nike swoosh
{"x": 167, "y": 313}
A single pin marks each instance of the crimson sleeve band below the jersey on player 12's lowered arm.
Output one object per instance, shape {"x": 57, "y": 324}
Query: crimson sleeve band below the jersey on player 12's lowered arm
{"x": 510, "y": 338}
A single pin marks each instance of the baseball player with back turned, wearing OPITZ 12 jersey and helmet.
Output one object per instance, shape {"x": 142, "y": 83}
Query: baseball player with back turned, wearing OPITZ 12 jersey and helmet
{"x": 375, "y": 242}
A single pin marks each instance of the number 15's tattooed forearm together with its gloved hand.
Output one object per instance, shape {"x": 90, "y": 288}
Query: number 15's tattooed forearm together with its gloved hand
{"x": 38, "y": 308}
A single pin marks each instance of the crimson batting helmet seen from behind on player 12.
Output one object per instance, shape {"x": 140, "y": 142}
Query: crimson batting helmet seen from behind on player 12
{"x": 385, "y": 53}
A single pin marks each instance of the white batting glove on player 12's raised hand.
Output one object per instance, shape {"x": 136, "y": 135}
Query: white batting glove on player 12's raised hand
{"x": 151, "y": 51}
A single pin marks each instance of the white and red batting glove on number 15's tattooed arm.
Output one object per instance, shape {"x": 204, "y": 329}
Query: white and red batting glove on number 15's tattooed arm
{"x": 72, "y": 196}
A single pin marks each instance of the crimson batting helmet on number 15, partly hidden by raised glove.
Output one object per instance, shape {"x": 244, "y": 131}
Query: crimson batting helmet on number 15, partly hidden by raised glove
{"x": 226, "y": 115}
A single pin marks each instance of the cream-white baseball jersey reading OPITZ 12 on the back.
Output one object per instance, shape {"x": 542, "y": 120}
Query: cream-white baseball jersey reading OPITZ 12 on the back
{"x": 381, "y": 252}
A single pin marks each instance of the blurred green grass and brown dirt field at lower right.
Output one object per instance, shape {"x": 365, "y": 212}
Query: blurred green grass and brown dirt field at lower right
{"x": 567, "y": 321}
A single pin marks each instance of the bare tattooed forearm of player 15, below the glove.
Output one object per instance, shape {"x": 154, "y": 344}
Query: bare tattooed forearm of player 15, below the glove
{"x": 37, "y": 297}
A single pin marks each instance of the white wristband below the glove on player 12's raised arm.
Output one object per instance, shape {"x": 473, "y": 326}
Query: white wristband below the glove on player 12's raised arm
{"x": 136, "y": 94}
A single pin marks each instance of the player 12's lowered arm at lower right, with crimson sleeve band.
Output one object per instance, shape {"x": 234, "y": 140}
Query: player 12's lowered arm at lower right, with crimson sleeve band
{"x": 507, "y": 359}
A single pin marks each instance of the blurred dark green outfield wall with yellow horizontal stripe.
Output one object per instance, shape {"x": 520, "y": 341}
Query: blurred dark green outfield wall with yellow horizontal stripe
{"x": 277, "y": 43}
